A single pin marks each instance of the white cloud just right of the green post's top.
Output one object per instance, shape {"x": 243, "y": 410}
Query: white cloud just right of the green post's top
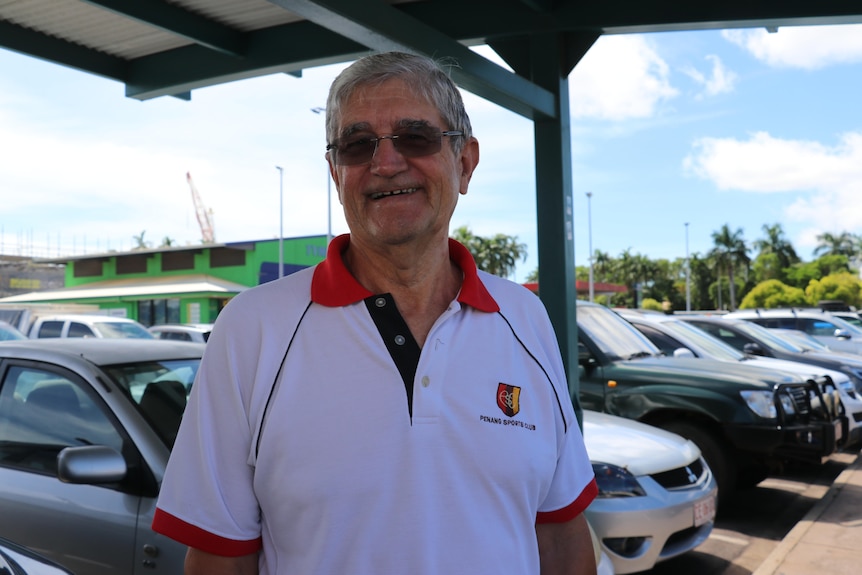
{"x": 620, "y": 77}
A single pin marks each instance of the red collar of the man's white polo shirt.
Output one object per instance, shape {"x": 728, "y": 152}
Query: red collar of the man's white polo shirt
{"x": 334, "y": 286}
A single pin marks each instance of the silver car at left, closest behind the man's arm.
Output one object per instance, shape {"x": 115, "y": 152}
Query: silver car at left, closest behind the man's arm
{"x": 86, "y": 427}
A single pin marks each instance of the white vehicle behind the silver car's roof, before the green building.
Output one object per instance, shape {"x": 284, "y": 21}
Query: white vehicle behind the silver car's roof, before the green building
{"x": 80, "y": 325}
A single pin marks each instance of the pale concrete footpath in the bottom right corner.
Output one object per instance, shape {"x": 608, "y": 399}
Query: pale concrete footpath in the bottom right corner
{"x": 827, "y": 539}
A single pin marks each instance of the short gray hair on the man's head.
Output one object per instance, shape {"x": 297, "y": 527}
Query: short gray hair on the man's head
{"x": 424, "y": 75}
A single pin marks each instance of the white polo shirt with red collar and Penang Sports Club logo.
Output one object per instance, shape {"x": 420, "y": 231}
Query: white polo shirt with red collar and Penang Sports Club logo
{"x": 319, "y": 432}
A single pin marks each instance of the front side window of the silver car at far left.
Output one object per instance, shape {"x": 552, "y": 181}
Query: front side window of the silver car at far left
{"x": 42, "y": 412}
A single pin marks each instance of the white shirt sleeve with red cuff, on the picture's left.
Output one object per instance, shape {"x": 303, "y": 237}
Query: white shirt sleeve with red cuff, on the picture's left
{"x": 207, "y": 497}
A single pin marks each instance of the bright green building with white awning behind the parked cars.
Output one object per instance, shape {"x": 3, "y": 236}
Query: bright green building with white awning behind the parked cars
{"x": 188, "y": 284}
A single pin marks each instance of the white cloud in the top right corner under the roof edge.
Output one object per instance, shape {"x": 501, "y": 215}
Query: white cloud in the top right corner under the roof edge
{"x": 806, "y": 47}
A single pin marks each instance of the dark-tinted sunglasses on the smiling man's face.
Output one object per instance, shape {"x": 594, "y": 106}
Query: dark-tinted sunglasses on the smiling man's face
{"x": 413, "y": 142}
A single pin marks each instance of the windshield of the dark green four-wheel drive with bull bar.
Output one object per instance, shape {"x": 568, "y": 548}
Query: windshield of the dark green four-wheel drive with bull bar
{"x": 614, "y": 336}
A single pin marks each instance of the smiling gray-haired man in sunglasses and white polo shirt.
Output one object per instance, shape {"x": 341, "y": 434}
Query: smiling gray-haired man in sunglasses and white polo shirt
{"x": 392, "y": 410}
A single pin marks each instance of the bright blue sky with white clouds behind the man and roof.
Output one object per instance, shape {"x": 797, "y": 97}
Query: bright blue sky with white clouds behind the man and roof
{"x": 674, "y": 135}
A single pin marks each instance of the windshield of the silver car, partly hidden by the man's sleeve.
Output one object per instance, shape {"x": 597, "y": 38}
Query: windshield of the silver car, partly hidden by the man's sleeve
{"x": 160, "y": 390}
